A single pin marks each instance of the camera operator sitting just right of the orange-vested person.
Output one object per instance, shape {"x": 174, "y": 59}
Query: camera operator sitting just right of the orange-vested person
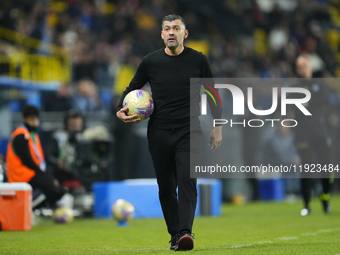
{"x": 61, "y": 151}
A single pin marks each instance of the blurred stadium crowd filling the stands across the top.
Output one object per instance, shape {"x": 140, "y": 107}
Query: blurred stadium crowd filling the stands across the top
{"x": 242, "y": 38}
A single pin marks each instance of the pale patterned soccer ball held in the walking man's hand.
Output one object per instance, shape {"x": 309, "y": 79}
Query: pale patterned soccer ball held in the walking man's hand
{"x": 139, "y": 102}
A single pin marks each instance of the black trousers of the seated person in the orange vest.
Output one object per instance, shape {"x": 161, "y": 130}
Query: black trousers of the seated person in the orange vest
{"x": 45, "y": 183}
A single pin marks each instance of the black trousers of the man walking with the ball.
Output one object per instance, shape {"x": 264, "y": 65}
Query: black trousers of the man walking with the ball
{"x": 170, "y": 152}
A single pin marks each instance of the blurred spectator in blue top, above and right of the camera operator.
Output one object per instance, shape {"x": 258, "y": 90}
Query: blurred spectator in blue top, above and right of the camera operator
{"x": 87, "y": 99}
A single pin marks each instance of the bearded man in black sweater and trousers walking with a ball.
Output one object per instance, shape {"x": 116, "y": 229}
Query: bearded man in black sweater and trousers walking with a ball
{"x": 168, "y": 71}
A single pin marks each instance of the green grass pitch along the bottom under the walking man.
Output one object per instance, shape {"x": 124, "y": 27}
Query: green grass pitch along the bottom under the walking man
{"x": 255, "y": 228}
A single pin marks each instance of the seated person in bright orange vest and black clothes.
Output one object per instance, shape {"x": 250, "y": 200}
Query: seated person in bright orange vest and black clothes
{"x": 25, "y": 158}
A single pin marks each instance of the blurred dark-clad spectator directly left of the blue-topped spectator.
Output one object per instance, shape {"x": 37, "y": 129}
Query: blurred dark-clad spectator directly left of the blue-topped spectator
{"x": 59, "y": 101}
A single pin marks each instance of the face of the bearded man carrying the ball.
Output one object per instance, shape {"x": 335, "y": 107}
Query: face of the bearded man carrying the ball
{"x": 173, "y": 33}
